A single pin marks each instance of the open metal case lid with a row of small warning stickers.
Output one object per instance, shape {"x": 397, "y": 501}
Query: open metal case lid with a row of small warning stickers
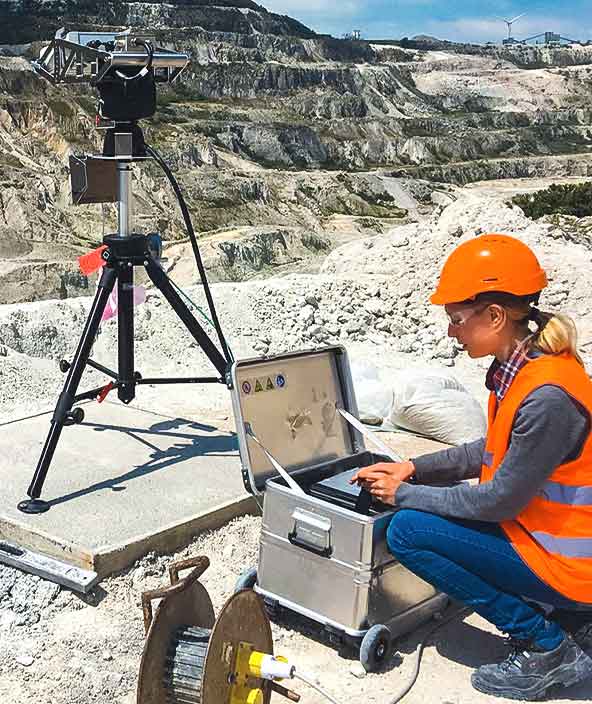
{"x": 290, "y": 403}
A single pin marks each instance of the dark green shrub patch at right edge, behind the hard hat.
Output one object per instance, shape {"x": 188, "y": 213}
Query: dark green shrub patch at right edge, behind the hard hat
{"x": 573, "y": 199}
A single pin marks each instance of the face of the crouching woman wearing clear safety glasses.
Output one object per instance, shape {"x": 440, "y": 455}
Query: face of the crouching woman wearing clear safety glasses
{"x": 472, "y": 326}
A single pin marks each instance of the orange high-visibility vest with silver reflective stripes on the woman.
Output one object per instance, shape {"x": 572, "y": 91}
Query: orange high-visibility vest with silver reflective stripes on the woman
{"x": 553, "y": 534}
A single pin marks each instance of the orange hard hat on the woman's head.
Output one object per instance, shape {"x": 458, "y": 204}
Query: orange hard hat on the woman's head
{"x": 489, "y": 263}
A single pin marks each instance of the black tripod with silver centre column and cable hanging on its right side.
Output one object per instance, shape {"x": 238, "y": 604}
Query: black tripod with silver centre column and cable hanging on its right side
{"x": 123, "y": 252}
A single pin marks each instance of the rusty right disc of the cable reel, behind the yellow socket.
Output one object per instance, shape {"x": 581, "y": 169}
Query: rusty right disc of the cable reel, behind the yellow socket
{"x": 243, "y": 618}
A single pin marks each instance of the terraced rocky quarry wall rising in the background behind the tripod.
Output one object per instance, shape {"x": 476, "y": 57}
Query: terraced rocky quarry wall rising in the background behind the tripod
{"x": 272, "y": 127}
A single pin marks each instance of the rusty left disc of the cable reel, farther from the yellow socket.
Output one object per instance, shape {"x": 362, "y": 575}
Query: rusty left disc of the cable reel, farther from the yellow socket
{"x": 192, "y": 607}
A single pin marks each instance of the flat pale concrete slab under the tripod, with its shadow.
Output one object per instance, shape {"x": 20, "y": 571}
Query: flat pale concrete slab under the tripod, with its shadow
{"x": 124, "y": 482}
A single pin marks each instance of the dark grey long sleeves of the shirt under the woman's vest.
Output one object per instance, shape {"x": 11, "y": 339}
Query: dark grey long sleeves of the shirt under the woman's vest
{"x": 550, "y": 428}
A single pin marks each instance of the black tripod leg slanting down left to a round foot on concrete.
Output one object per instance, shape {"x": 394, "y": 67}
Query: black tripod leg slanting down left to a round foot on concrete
{"x": 66, "y": 399}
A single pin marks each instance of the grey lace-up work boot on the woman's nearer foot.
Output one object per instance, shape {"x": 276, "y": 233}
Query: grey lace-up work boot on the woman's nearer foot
{"x": 528, "y": 672}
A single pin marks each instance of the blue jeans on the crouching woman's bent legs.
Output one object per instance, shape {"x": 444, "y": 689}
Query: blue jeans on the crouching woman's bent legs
{"x": 474, "y": 562}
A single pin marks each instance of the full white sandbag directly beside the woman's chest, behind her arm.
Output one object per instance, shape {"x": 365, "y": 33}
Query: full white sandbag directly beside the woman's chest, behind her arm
{"x": 434, "y": 403}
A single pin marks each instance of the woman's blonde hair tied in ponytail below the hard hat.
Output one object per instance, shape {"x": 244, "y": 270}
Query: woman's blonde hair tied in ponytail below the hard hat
{"x": 556, "y": 333}
